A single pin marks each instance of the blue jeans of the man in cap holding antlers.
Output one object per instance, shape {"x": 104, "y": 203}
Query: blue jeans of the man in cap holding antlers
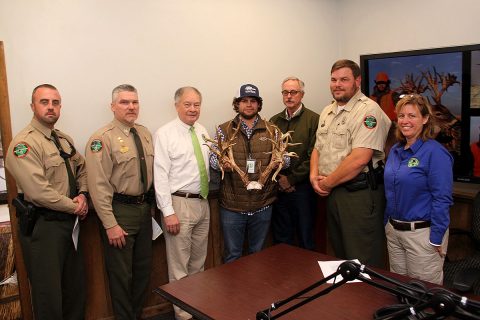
{"x": 235, "y": 224}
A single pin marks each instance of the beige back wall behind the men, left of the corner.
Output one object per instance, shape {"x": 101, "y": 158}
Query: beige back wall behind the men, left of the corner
{"x": 87, "y": 47}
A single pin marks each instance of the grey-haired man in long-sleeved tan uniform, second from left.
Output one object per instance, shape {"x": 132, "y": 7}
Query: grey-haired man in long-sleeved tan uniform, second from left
{"x": 120, "y": 195}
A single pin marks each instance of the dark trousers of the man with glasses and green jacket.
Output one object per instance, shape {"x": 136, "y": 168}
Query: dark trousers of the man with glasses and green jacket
{"x": 294, "y": 216}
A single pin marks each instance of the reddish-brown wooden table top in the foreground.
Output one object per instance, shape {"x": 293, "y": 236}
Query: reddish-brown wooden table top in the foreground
{"x": 240, "y": 289}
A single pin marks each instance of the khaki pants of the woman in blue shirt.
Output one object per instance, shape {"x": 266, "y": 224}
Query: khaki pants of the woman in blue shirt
{"x": 410, "y": 253}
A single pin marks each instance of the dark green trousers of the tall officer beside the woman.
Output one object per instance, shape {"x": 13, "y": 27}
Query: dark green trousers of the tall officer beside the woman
{"x": 355, "y": 224}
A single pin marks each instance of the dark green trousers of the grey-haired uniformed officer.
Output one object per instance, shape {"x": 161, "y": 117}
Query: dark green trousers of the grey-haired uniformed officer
{"x": 129, "y": 268}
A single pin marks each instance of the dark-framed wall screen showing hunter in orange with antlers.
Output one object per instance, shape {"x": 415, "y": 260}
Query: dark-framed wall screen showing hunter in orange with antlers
{"x": 450, "y": 79}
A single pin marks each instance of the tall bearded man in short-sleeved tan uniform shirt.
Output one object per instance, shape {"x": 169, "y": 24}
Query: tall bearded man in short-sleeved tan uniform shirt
{"x": 350, "y": 141}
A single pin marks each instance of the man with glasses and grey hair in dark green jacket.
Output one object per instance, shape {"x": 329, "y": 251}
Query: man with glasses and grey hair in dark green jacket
{"x": 293, "y": 218}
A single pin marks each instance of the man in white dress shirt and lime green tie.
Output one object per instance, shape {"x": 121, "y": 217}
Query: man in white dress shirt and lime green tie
{"x": 181, "y": 187}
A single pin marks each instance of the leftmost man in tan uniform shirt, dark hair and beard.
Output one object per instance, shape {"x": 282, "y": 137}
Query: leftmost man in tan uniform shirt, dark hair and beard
{"x": 37, "y": 158}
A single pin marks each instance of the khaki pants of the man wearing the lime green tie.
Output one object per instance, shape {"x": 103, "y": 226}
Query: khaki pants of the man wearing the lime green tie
{"x": 186, "y": 251}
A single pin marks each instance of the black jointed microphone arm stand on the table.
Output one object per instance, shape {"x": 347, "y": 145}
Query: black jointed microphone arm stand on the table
{"x": 442, "y": 301}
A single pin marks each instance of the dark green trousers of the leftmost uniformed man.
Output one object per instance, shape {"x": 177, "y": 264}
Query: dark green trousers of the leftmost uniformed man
{"x": 55, "y": 270}
